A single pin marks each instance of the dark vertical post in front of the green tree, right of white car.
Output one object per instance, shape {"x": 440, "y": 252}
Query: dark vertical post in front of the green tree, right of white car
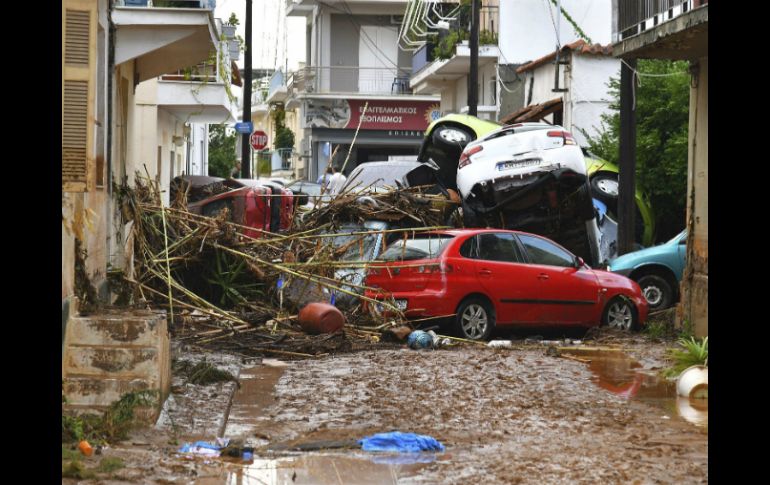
{"x": 626, "y": 179}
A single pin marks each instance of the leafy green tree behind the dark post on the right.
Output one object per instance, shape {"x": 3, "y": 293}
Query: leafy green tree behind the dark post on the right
{"x": 662, "y": 117}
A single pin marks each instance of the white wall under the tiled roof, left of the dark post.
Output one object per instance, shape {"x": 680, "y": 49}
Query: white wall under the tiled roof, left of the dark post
{"x": 589, "y": 93}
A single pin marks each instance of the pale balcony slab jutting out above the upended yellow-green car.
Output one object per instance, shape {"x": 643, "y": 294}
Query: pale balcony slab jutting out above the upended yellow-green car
{"x": 436, "y": 75}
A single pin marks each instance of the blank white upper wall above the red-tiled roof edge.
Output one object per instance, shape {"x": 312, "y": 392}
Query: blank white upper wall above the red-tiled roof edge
{"x": 527, "y": 31}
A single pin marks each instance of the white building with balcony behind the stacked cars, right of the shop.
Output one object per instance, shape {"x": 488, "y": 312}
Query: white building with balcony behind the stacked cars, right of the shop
{"x": 526, "y": 29}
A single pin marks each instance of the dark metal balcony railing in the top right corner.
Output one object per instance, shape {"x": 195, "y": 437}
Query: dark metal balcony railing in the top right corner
{"x": 636, "y": 16}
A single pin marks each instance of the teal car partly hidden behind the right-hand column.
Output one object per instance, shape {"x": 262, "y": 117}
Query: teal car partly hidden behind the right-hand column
{"x": 658, "y": 270}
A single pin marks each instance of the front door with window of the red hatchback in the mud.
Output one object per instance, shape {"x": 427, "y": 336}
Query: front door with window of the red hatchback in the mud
{"x": 566, "y": 294}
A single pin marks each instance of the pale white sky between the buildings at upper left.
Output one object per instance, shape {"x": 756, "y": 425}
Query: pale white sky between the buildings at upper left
{"x": 271, "y": 32}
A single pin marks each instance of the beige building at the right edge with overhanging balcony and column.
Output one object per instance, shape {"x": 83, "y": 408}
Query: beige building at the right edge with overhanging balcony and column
{"x": 678, "y": 30}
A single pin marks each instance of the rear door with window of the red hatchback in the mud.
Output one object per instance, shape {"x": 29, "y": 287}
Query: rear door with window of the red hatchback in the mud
{"x": 503, "y": 275}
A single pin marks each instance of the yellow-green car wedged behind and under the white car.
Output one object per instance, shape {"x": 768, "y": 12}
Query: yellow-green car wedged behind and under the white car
{"x": 446, "y": 137}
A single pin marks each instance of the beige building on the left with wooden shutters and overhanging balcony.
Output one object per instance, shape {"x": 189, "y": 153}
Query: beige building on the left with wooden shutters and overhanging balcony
{"x": 122, "y": 113}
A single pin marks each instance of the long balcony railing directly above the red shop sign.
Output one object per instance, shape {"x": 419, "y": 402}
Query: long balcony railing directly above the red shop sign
{"x": 342, "y": 79}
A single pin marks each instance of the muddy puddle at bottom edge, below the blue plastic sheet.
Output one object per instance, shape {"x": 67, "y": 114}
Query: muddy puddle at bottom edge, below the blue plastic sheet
{"x": 324, "y": 469}
